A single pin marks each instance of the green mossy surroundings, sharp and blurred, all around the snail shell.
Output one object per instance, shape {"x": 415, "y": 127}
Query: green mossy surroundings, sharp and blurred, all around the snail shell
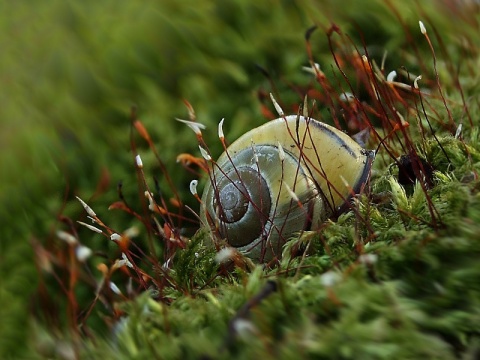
{"x": 396, "y": 277}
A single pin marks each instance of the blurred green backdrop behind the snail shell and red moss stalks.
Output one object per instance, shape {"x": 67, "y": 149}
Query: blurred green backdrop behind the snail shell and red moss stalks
{"x": 70, "y": 72}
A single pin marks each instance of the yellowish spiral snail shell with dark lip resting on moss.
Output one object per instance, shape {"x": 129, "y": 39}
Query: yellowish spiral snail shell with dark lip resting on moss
{"x": 286, "y": 176}
